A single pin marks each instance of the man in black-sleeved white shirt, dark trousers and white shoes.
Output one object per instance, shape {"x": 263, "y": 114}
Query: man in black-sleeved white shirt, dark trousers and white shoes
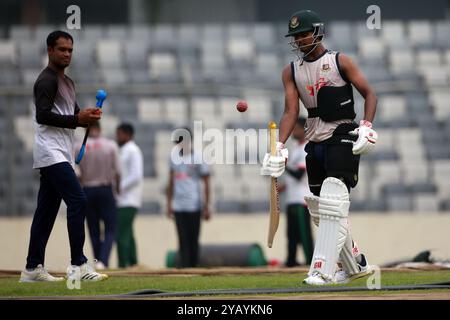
{"x": 56, "y": 116}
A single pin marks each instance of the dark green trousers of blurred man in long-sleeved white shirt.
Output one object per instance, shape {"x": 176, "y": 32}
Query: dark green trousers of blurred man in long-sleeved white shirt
{"x": 126, "y": 245}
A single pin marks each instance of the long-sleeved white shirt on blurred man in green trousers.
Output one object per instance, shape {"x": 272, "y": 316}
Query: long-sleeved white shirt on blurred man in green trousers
{"x": 132, "y": 176}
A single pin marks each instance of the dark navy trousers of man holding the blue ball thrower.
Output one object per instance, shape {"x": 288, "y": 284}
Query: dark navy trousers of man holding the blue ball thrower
{"x": 58, "y": 182}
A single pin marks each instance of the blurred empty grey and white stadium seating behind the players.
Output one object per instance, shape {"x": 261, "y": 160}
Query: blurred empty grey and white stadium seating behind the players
{"x": 199, "y": 72}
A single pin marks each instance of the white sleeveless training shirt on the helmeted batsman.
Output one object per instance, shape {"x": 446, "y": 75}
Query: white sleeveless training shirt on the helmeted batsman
{"x": 309, "y": 77}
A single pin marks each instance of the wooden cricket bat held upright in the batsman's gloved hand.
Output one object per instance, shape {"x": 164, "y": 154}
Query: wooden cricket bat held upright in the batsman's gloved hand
{"x": 274, "y": 198}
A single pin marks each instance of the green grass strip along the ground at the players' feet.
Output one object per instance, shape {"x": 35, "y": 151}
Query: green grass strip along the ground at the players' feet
{"x": 10, "y": 287}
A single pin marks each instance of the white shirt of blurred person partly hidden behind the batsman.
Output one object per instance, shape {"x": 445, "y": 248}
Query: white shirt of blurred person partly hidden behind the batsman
{"x": 296, "y": 189}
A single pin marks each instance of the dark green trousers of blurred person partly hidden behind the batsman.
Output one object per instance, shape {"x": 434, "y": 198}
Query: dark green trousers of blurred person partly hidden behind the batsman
{"x": 299, "y": 233}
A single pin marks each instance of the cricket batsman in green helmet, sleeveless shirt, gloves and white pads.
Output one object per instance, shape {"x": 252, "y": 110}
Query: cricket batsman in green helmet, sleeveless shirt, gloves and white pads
{"x": 322, "y": 80}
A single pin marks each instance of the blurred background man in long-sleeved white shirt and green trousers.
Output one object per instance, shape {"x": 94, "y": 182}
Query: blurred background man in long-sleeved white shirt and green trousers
{"x": 130, "y": 196}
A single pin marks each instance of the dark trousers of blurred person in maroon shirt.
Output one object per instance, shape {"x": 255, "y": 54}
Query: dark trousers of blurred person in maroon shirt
{"x": 101, "y": 207}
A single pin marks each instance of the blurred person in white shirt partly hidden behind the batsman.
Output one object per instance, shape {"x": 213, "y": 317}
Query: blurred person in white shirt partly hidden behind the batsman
{"x": 296, "y": 188}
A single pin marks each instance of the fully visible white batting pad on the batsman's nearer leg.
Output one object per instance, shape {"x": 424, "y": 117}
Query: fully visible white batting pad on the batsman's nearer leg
{"x": 334, "y": 204}
